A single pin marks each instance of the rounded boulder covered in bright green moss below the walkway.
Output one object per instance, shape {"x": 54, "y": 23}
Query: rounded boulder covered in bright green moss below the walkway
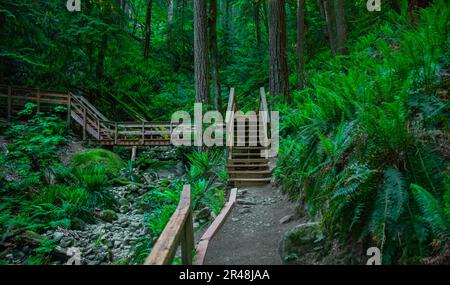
{"x": 90, "y": 157}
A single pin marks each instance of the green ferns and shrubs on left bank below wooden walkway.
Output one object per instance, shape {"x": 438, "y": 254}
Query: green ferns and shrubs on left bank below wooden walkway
{"x": 38, "y": 192}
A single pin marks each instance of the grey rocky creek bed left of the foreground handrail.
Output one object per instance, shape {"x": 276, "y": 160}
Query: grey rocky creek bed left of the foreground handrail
{"x": 111, "y": 239}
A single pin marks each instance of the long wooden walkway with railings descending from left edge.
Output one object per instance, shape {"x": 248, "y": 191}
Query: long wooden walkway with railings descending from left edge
{"x": 95, "y": 126}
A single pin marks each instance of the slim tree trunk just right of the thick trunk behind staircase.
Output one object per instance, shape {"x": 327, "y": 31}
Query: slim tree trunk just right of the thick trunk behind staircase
{"x": 301, "y": 42}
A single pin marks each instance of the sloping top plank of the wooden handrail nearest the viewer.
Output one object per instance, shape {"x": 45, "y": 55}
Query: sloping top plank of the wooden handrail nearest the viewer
{"x": 165, "y": 247}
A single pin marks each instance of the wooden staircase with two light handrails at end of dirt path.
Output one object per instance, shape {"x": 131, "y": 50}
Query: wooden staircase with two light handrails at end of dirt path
{"x": 247, "y": 164}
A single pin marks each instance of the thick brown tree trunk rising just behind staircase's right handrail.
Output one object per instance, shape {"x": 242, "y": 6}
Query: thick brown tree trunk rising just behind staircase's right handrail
{"x": 278, "y": 69}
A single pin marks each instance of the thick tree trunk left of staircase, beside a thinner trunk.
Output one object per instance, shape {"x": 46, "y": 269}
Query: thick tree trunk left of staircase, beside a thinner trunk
{"x": 201, "y": 52}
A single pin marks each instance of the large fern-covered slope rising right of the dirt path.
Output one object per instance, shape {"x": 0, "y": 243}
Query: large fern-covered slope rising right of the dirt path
{"x": 366, "y": 145}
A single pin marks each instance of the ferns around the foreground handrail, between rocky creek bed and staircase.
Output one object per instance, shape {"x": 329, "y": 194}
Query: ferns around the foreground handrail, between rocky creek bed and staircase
{"x": 207, "y": 178}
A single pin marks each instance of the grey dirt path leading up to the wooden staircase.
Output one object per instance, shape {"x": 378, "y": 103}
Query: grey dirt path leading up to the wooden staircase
{"x": 253, "y": 230}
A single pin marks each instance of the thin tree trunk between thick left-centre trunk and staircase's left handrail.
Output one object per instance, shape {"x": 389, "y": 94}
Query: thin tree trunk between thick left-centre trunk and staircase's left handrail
{"x": 214, "y": 53}
